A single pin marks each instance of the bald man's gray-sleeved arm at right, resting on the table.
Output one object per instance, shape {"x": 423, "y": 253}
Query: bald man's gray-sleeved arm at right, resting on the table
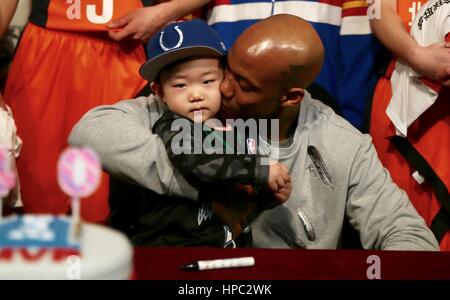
{"x": 380, "y": 211}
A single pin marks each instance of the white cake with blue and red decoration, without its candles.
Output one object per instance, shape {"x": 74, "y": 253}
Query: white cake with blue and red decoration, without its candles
{"x": 50, "y": 247}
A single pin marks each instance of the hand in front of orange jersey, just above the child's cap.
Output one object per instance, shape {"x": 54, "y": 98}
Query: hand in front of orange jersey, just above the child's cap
{"x": 139, "y": 24}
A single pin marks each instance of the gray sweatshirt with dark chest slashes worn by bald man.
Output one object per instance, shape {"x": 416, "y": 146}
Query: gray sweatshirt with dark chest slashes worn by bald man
{"x": 334, "y": 168}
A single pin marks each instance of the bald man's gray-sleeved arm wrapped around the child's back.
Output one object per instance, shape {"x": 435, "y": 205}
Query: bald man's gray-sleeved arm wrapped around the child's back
{"x": 121, "y": 135}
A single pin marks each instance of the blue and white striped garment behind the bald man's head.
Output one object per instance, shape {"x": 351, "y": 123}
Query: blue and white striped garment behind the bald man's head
{"x": 351, "y": 51}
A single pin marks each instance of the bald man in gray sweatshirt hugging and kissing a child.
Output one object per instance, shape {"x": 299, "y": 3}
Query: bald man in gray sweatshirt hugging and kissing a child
{"x": 334, "y": 168}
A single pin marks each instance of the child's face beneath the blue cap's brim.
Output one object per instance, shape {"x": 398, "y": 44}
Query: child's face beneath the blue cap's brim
{"x": 193, "y": 87}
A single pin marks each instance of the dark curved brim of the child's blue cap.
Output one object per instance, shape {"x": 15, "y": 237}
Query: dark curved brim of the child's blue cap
{"x": 151, "y": 68}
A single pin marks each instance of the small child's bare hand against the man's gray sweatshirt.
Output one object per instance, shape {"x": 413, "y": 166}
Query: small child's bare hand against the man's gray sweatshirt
{"x": 279, "y": 182}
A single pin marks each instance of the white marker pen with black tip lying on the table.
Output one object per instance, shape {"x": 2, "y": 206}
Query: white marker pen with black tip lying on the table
{"x": 220, "y": 264}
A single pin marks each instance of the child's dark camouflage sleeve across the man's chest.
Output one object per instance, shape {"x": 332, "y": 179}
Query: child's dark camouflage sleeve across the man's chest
{"x": 204, "y": 154}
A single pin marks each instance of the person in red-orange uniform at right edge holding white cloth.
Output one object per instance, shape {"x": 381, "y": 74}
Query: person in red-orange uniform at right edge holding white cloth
{"x": 410, "y": 119}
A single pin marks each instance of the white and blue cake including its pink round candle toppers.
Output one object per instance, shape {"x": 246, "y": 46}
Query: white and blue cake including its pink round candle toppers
{"x": 62, "y": 247}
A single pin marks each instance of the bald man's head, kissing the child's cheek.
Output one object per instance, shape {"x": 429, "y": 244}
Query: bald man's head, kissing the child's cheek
{"x": 269, "y": 66}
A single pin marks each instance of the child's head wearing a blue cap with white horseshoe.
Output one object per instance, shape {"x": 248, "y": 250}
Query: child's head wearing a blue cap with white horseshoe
{"x": 185, "y": 68}
